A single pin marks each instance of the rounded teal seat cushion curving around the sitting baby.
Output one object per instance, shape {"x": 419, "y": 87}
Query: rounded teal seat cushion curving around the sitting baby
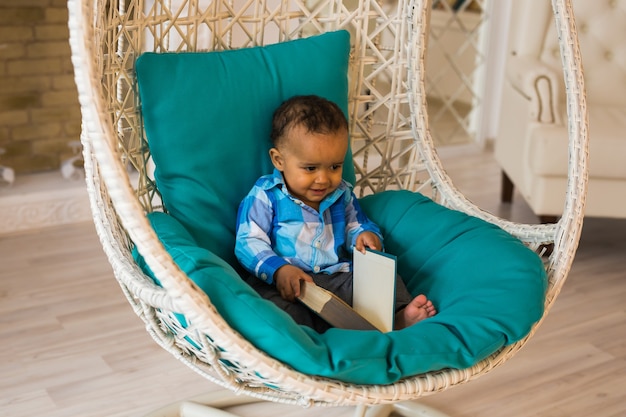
{"x": 487, "y": 286}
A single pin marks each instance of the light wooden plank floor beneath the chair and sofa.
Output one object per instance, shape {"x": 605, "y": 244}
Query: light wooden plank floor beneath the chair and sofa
{"x": 71, "y": 346}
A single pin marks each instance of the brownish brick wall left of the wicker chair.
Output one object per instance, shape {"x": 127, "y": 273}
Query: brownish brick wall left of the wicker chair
{"x": 39, "y": 112}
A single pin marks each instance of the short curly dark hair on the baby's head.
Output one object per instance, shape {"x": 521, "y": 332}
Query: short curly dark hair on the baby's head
{"x": 315, "y": 113}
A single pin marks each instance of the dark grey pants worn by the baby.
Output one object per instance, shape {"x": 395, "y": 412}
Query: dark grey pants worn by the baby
{"x": 339, "y": 284}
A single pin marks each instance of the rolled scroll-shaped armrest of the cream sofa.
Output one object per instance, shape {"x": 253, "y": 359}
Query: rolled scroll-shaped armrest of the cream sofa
{"x": 539, "y": 84}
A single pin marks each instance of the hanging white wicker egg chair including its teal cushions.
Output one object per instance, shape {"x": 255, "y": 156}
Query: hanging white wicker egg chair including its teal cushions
{"x": 176, "y": 100}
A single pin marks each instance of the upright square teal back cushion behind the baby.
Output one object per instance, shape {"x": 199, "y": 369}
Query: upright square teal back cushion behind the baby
{"x": 207, "y": 118}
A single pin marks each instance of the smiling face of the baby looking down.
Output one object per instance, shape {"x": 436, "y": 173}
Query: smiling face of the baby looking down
{"x": 311, "y": 163}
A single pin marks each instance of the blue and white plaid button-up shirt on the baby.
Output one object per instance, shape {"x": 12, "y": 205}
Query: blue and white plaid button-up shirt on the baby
{"x": 275, "y": 229}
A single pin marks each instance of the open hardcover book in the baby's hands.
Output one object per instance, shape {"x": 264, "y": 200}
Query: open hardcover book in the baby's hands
{"x": 374, "y": 275}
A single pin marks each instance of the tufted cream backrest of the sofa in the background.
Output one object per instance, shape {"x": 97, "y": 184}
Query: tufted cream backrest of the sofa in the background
{"x": 601, "y": 33}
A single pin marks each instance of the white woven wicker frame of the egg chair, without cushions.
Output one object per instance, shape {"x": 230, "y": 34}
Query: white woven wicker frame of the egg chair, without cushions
{"x": 386, "y": 74}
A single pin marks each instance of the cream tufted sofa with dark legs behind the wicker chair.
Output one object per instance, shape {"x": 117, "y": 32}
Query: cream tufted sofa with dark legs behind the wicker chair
{"x": 531, "y": 145}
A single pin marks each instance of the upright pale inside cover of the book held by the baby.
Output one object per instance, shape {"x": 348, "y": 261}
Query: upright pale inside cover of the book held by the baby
{"x": 374, "y": 288}
